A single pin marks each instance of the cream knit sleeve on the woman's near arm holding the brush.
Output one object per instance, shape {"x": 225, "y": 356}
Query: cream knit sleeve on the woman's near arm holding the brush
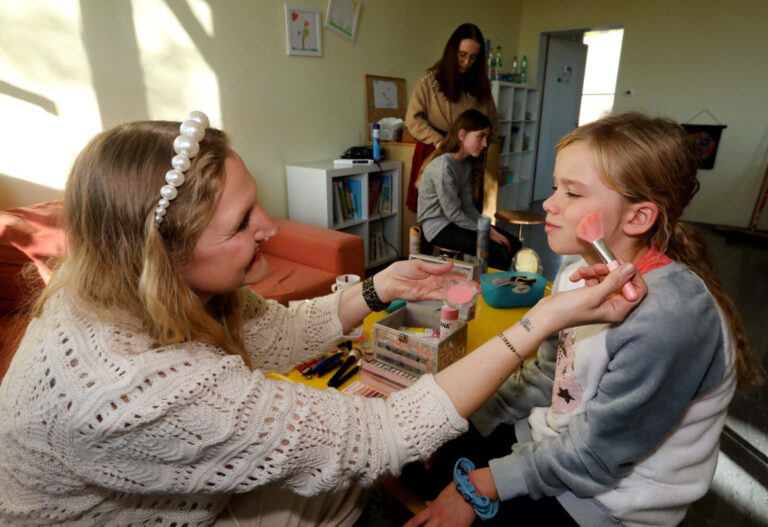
{"x": 198, "y": 421}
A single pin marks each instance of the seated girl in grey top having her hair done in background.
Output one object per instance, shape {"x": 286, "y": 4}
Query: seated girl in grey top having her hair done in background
{"x": 447, "y": 216}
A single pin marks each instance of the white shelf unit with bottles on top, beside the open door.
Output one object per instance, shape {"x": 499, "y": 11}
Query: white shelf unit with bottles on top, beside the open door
{"x": 518, "y": 106}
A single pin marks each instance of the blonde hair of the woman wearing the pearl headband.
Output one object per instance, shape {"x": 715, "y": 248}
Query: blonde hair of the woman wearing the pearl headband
{"x": 119, "y": 261}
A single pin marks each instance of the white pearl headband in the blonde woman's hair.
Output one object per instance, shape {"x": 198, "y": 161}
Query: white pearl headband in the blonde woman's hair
{"x": 186, "y": 146}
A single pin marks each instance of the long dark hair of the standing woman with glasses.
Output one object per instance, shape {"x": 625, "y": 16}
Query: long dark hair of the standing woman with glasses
{"x": 475, "y": 80}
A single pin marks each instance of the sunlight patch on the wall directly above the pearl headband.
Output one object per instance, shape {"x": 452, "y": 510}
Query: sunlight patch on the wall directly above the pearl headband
{"x": 178, "y": 79}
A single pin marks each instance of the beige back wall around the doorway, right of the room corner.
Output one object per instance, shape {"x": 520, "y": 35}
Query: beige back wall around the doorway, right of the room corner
{"x": 679, "y": 58}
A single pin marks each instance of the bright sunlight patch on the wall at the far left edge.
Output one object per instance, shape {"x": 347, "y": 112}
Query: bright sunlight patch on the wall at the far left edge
{"x": 47, "y": 102}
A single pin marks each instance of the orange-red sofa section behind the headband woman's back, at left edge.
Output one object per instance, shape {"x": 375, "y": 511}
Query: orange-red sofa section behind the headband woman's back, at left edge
{"x": 27, "y": 234}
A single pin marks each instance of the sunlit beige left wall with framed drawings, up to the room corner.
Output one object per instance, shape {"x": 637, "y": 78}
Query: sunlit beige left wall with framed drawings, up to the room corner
{"x": 69, "y": 69}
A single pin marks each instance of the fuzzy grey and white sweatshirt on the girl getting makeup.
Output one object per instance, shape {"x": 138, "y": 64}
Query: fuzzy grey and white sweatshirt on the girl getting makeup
{"x": 622, "y": 422}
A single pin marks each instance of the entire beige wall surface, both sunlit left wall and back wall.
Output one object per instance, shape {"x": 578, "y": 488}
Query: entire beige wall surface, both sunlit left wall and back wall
{"x": 69, "y": 69}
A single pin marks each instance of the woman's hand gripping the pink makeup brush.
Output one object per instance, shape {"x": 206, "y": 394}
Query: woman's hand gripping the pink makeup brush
{"x": 599, "y": 301}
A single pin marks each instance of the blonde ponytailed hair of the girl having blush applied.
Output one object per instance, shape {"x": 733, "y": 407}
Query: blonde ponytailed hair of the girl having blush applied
{"x": 651, "y": 159}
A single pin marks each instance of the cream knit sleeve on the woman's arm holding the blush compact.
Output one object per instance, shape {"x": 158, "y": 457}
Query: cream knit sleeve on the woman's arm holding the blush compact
{"x": 277, "y": 338}
